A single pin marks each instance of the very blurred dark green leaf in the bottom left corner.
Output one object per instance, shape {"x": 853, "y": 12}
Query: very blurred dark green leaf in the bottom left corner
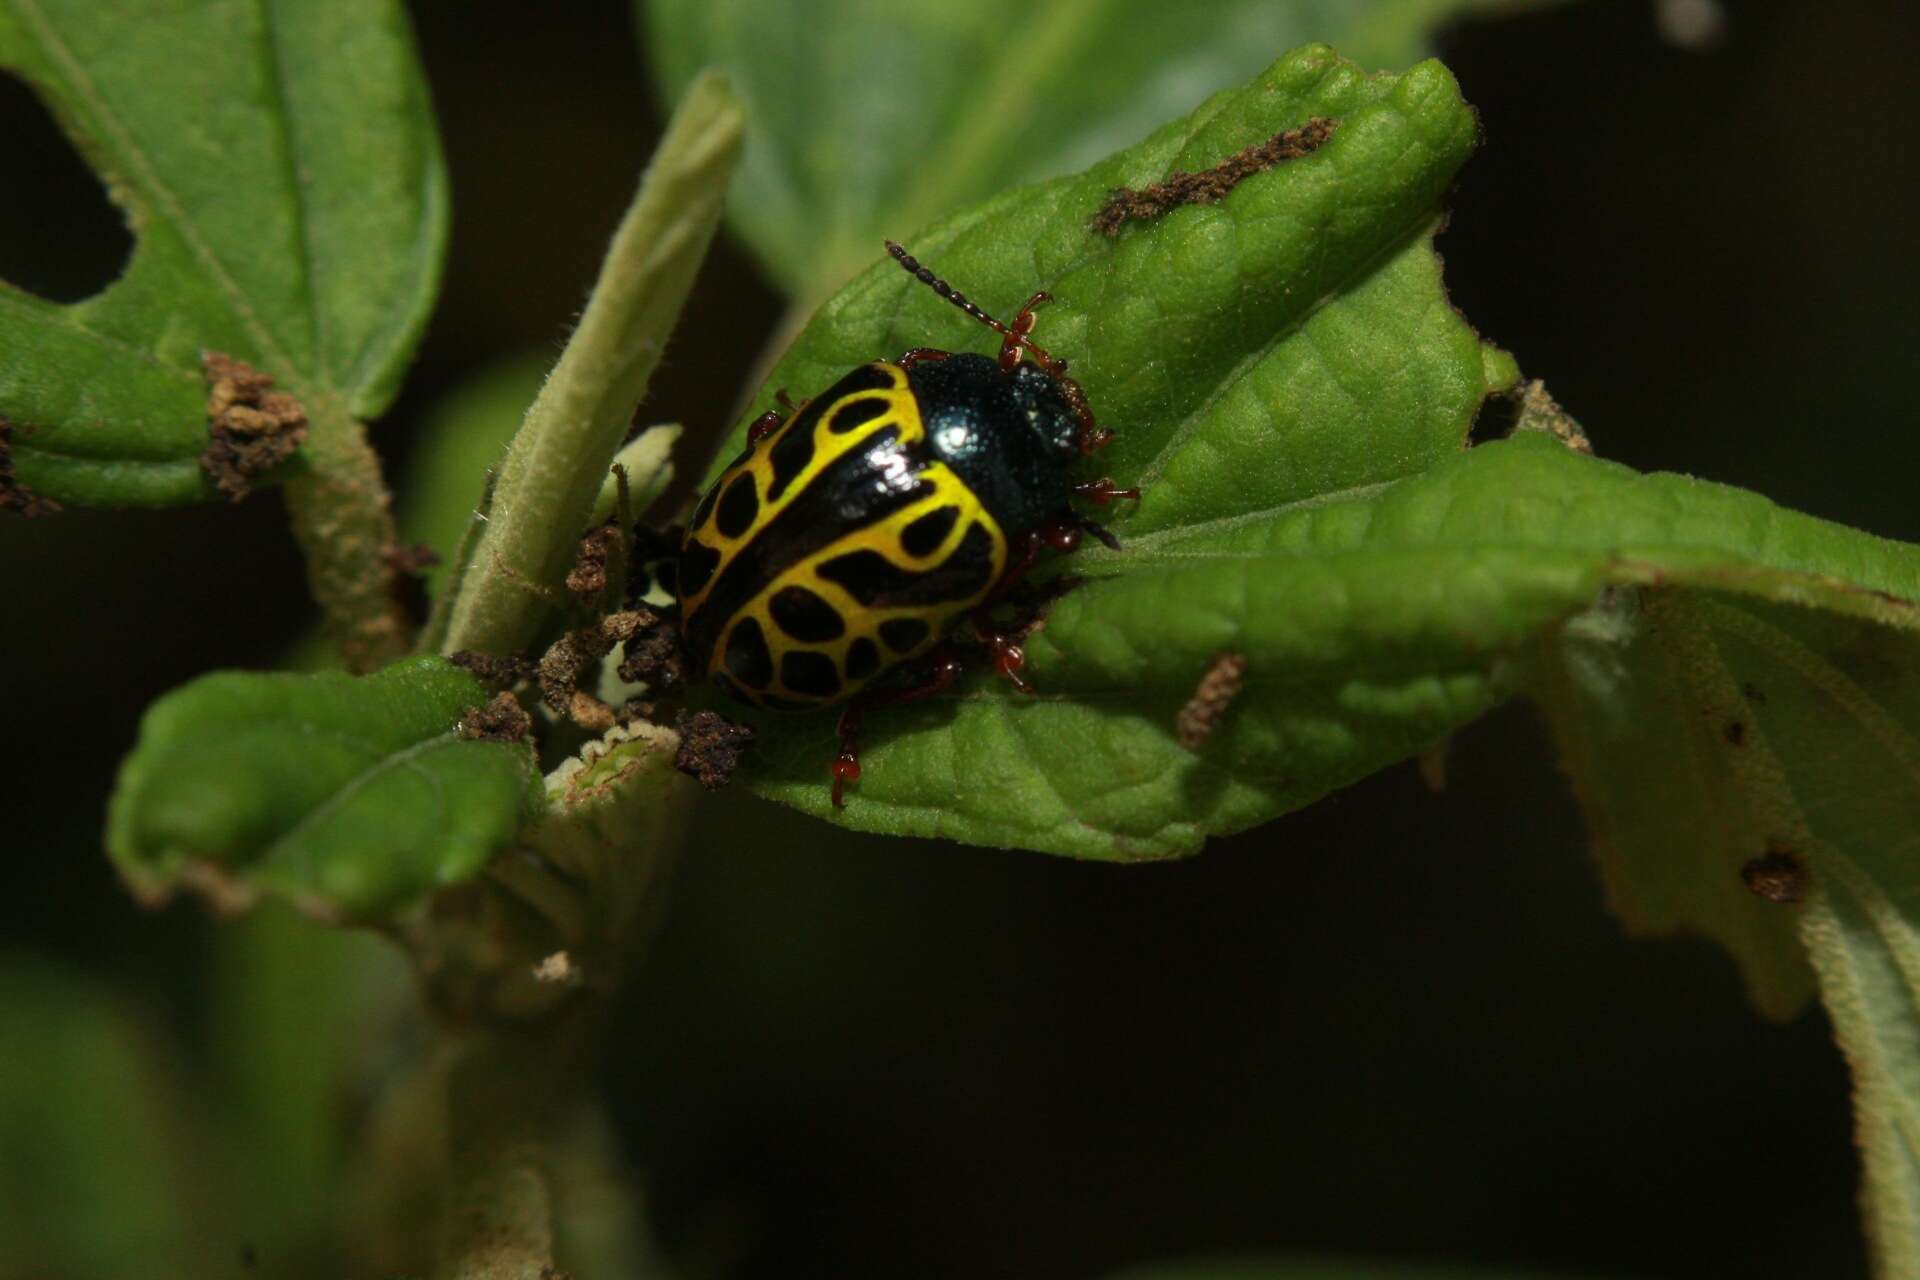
{"x": 101, "y": 1175}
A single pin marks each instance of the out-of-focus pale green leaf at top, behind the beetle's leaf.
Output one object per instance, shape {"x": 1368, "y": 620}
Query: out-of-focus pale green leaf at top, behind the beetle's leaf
{"x": 875, "y": 118}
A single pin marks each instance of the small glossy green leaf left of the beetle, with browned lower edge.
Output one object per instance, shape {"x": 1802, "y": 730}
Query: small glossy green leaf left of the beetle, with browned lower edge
{"x": 347, "y": 795}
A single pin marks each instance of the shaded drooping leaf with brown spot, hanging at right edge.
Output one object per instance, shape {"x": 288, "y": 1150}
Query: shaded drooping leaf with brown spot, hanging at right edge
{"x": 1723, "y": 744}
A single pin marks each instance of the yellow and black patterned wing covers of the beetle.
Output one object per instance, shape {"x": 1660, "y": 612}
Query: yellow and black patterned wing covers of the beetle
{"x": 834, "y": 550}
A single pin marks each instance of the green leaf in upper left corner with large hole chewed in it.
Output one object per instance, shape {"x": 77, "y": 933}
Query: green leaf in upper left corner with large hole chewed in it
{"x": 283, "y": 178}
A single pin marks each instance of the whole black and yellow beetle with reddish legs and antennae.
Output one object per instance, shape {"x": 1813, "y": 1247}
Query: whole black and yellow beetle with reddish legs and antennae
{"x": 861, "y": 525}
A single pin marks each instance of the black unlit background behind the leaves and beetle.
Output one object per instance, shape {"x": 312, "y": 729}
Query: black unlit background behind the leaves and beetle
{"x": 1397, "y": 1024}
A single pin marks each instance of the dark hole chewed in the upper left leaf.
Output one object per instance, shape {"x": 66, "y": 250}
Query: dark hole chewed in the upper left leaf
{"x": 60, "y": 237}
